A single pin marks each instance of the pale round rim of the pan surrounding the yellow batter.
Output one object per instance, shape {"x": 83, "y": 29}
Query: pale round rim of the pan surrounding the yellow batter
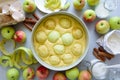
{"x": 64, "y": 67}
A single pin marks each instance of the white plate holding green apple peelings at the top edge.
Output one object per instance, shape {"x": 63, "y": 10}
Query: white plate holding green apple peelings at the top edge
{"x": 49, "y": 6}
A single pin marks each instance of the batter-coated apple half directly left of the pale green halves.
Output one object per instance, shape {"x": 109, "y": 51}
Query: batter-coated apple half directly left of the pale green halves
{"x": 41, "y": 37}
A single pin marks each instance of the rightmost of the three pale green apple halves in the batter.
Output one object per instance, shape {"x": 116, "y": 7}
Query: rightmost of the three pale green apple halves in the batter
{"x": 67, "y": 39}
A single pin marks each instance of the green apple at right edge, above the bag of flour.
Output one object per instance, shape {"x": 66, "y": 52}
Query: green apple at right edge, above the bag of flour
{"x": 114, "y": 22}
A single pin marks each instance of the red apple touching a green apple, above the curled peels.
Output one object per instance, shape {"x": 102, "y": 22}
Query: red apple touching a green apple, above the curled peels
{"x": 20, "y": 36}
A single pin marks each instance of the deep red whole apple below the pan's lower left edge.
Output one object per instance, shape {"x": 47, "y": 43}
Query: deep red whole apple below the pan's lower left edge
{"x": 42, "y": 72}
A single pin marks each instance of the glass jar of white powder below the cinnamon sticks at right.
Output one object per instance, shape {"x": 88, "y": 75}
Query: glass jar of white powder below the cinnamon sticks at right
{"x": 98, "y": 69}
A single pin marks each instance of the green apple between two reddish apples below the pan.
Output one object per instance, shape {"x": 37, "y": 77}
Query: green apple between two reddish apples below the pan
{"x": 73, "y": 73}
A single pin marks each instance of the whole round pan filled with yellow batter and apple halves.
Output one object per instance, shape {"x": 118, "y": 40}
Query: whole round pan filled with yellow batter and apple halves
{"x": 60, "y": 41}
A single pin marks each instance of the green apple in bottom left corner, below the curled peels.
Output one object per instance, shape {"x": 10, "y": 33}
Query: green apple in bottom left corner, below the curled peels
{"x": 12, "y": 74}
